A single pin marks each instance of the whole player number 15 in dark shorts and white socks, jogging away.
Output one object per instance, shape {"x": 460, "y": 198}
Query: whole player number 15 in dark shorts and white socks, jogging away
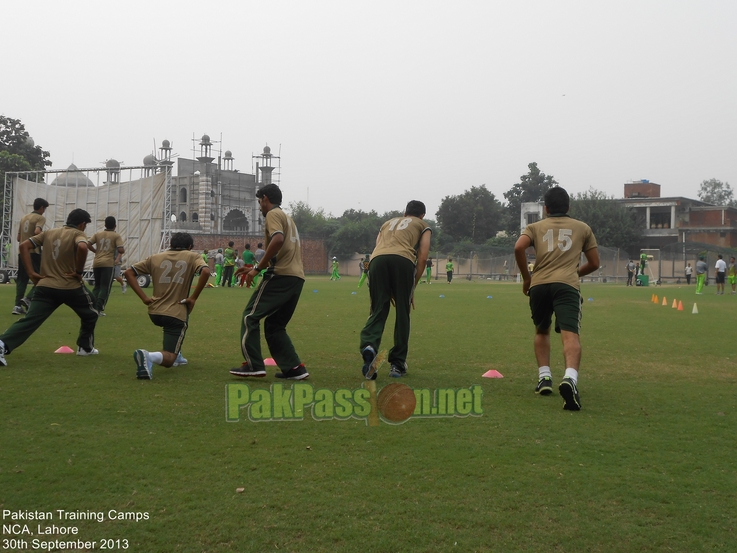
{"x": 559, "y": 241}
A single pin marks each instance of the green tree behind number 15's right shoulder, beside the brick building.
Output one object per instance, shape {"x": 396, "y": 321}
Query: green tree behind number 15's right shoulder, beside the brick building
{"x": 613, "y": 224}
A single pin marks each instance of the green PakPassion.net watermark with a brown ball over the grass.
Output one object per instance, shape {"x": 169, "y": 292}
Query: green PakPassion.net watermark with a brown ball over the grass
{"x": 394, "y": 403}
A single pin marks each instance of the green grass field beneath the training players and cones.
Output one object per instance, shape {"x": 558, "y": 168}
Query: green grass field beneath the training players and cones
{"x": 647, "y": 465}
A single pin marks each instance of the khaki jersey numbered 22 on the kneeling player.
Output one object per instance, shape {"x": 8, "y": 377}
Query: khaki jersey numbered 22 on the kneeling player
{"x": 172, "y": 273}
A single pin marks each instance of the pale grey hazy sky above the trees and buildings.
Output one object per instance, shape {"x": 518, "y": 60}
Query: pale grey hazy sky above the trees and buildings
{"x": 372, "y": 104}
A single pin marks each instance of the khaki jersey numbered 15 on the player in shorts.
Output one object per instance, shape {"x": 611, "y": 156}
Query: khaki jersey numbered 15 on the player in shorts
{"x": 558, "y": 243}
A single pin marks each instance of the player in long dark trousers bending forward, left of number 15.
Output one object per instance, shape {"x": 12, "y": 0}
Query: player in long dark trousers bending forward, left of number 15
{"x": 397, "y": 264}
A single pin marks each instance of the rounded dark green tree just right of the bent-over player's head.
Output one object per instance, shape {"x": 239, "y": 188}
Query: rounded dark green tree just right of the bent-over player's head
{"x": 475, "y": 215}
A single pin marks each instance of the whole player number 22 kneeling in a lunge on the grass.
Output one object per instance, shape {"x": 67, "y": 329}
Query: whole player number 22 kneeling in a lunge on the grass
{"x": 172, "y": 273}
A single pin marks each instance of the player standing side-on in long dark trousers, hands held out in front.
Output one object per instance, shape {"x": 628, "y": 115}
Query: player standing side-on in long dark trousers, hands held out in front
{"x": 276, "y": 298}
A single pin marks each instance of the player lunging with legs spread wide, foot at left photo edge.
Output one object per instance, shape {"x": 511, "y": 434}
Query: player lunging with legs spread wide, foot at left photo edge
{"x": 63, "y": 258}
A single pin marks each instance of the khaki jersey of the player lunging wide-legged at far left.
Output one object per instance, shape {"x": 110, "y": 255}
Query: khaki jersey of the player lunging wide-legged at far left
{"x": 59, "y": 256}
